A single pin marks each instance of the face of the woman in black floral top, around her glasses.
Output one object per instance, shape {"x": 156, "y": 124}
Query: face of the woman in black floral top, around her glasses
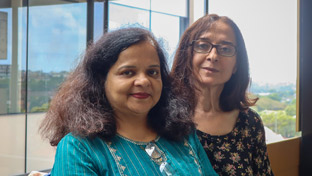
{"x": 212, "y": 69}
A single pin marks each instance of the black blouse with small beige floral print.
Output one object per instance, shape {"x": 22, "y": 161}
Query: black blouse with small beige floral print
{"x": 241, "y": 152}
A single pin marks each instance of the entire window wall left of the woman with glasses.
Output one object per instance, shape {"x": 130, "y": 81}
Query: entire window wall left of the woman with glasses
{"x": 40, "y": 44}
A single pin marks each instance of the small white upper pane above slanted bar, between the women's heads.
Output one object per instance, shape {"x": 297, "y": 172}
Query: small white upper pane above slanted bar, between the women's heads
{"x": 173, "y": 7}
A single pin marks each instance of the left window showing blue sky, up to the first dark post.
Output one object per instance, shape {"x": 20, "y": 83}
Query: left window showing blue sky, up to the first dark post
{"x": 34, "y": 65}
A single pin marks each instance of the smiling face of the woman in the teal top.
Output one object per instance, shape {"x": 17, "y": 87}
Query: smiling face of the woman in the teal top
{"x": 133, "y": 85}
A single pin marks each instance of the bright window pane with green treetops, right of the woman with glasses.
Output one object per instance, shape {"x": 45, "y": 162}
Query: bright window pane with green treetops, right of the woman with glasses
{"x": 271, "y": 42}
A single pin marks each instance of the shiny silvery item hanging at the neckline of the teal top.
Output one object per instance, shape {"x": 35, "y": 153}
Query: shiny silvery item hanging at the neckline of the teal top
{"x": 159, "y": 158}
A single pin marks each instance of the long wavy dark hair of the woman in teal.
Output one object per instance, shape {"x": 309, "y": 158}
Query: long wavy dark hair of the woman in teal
{"x": 81, "y": 107}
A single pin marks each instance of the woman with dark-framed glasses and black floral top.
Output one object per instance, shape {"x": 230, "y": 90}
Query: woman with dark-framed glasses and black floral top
{"x": 211, "y": 73}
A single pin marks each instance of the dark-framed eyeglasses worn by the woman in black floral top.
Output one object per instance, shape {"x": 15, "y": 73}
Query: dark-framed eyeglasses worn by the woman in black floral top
{"x": 203, "y": 46}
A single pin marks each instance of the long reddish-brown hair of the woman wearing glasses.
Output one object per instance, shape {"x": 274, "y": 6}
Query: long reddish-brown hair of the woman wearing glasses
{"x": 234, "y": 95}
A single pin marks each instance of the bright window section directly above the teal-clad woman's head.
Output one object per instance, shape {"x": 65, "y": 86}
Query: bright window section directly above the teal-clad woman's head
{"x": 165, "y": 26}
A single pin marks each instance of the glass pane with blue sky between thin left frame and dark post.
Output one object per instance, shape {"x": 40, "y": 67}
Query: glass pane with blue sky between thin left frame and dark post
{"x": 57, "y": 38}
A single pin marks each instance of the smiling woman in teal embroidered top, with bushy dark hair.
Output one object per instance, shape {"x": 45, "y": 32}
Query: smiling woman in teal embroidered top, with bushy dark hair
{"x": 115, "y": 115}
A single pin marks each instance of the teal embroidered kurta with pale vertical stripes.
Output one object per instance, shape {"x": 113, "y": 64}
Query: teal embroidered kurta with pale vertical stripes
{"x": 121, "y": 156}
